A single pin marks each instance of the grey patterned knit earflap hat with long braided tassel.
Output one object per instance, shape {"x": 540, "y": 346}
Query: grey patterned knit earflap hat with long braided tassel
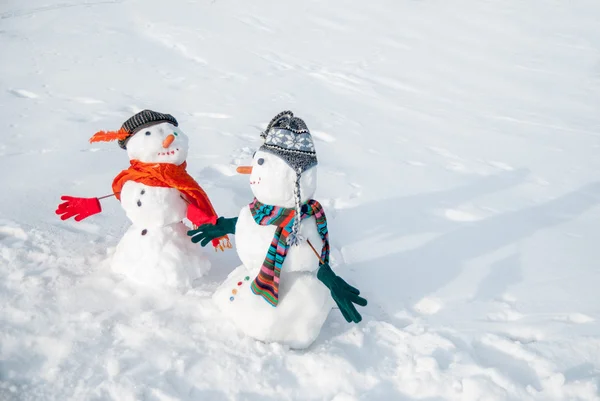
{"x": 288, "y": 137}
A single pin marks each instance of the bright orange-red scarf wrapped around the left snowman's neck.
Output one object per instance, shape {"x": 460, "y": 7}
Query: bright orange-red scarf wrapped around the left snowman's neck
{"x": 168, "y": 175}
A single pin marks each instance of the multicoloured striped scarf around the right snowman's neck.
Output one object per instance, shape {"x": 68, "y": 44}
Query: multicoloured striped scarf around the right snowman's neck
{"x": 266, "y": 284}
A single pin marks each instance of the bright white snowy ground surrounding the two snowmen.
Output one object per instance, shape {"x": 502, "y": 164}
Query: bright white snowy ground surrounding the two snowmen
{"x": 459, "y": 147}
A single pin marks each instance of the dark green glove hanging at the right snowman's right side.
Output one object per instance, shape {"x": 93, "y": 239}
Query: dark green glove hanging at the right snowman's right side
{"x": 344, "y": 295}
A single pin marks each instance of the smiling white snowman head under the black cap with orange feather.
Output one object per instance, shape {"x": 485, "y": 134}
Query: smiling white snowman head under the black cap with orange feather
{"x": 158, "y": 143}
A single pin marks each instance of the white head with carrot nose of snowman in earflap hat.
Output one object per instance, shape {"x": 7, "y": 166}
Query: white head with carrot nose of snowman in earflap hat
{"x": 273, "y": 181}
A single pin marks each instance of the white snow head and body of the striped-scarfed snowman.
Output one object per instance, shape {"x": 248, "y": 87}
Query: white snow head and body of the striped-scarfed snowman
{"x": 304, "y": 302}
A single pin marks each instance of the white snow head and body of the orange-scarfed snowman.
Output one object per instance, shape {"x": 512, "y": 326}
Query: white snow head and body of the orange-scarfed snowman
{"x": 156, "y": 251}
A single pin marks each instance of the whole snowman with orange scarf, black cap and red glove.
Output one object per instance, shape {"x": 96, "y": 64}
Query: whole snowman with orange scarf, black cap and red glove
{"x": 156, "y": 193}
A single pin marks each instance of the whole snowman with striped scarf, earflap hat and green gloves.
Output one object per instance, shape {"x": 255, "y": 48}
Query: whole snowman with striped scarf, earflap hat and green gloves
{"x": 285, "y": 288}
